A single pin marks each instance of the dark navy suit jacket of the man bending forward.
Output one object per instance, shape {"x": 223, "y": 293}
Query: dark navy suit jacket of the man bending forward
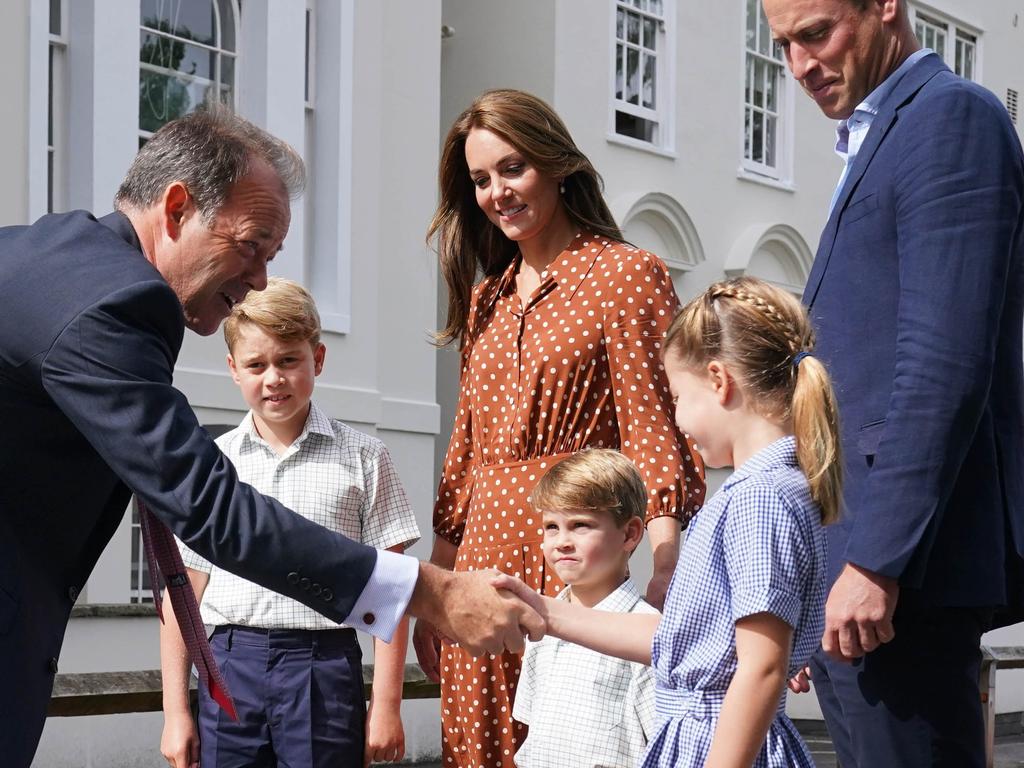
{"x": 89, "y": 343}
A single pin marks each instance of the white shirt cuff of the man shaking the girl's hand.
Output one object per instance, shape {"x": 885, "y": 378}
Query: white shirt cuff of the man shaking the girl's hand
{"x": 383, "y": 602}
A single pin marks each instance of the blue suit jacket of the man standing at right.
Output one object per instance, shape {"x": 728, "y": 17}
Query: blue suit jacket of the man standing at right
{"x": 918, "y": 297}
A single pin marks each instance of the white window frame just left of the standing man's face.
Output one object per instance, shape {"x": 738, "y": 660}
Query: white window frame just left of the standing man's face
{"x": 782, "y": 174}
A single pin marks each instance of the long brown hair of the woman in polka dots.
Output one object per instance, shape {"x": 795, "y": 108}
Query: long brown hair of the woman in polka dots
{"x": 467, "y": 242}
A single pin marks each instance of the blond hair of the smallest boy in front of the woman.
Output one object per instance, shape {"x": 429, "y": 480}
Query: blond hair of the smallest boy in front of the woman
{"x": 596, "y": 480}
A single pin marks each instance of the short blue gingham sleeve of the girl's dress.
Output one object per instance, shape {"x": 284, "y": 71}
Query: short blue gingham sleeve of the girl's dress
{"x": 763, "y": 549}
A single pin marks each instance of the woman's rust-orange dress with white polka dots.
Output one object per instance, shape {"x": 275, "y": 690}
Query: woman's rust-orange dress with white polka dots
{"x": 578, "y": 367}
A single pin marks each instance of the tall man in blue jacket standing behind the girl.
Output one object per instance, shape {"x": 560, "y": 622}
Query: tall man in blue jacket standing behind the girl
{"x": 918, "y": 296}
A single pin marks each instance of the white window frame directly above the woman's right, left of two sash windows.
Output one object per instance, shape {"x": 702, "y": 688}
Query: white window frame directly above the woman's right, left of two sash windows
{"x": 663, "y": 116}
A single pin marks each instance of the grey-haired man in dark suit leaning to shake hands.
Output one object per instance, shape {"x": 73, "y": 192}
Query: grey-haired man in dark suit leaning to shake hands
{"x": 94, "y": 318}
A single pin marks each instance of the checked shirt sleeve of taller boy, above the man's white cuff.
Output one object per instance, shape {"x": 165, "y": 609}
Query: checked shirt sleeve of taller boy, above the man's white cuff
{"x": 388, "y": 517}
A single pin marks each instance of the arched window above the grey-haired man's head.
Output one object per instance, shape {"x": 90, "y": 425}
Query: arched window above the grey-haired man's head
{"x": 187, "y": 57}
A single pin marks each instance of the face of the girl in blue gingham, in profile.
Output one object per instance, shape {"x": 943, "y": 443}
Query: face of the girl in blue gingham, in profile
{"x": 701, "y": 399}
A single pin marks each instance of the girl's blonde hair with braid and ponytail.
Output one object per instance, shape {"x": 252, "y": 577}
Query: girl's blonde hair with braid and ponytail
{"x": 760, "y": 332}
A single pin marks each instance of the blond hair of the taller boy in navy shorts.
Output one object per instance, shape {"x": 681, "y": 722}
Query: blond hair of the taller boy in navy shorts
{"x": 285, "y": 310}
